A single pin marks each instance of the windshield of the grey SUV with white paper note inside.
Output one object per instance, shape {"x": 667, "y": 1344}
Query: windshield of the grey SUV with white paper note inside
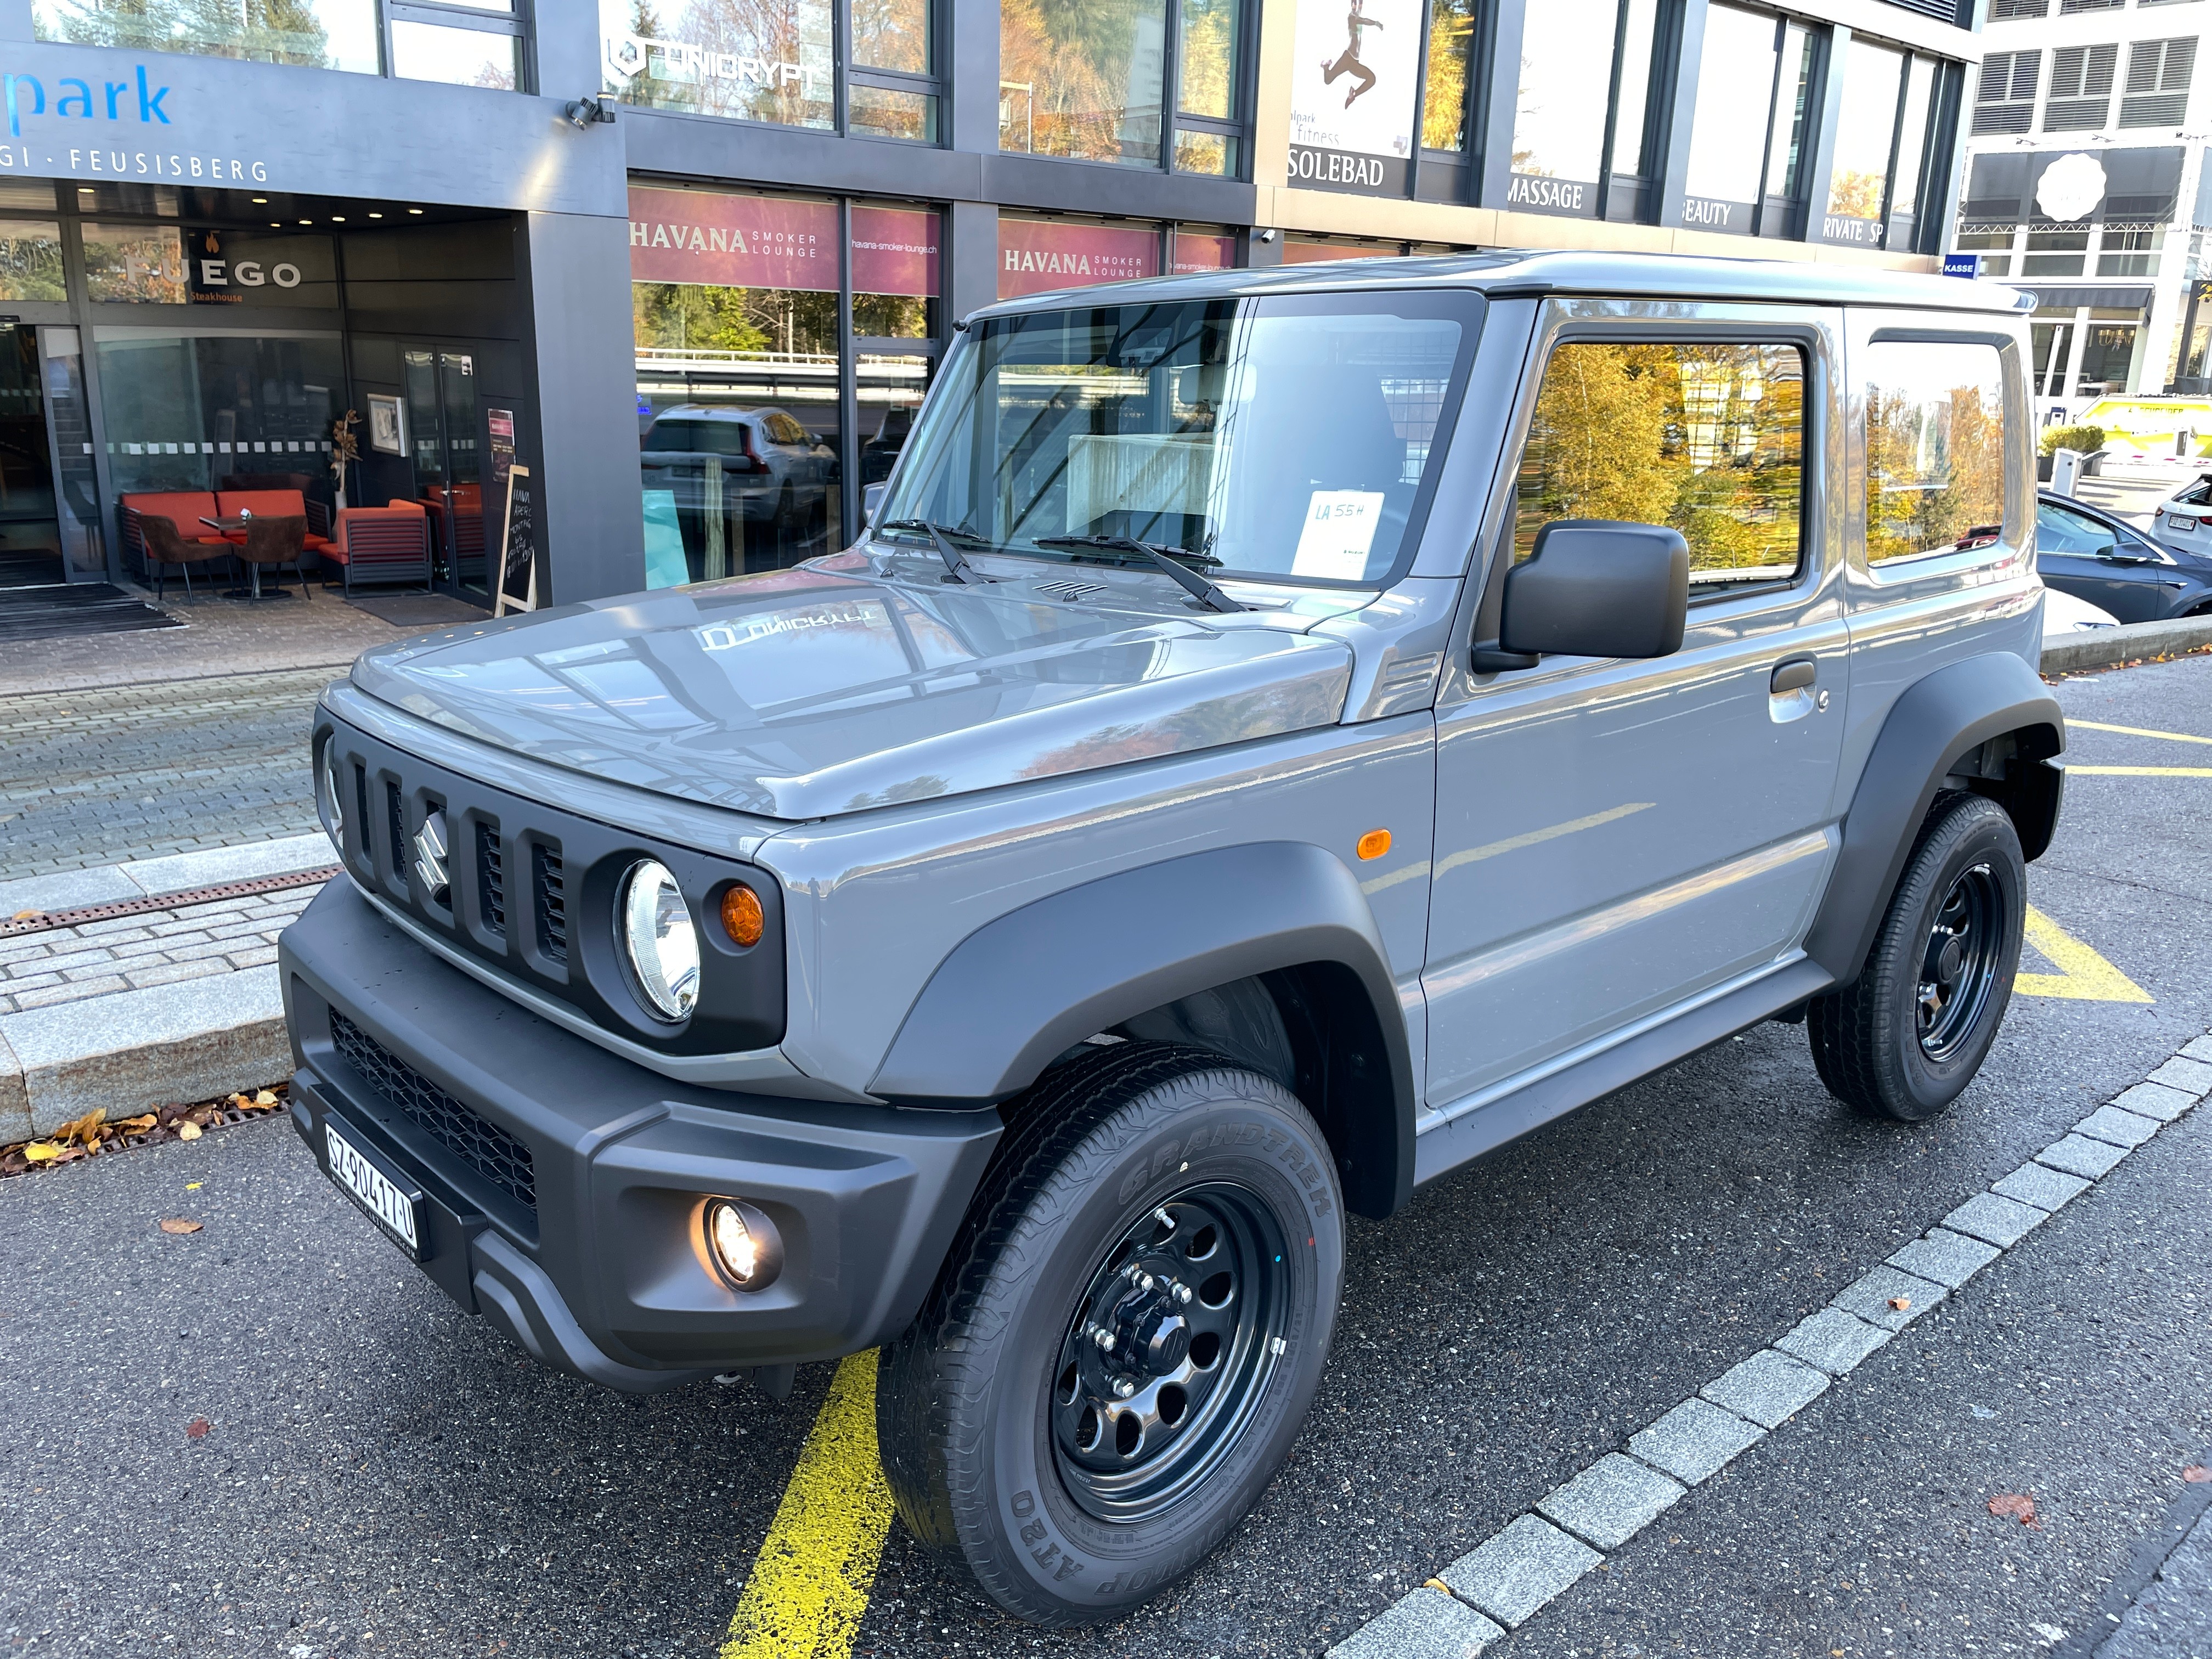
{"x": 1291, "y": 437}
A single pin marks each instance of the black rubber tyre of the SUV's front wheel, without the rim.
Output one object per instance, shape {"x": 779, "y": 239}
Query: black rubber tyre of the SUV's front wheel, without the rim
{"x": 966, "y": 1415}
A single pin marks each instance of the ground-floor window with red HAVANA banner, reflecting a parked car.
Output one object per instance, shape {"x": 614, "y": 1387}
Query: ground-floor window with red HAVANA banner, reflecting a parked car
{"x": 753, "y": 406}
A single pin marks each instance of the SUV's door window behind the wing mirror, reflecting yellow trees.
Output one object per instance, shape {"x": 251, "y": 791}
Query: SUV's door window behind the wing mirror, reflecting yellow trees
{"x": 1698, "y": 435}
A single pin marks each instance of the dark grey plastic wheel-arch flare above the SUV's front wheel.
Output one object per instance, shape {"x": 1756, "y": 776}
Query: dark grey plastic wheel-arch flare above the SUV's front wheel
{"x": 1023, "y": 990}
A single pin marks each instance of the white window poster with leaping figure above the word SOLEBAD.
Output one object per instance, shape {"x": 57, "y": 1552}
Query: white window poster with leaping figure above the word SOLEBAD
{"x": 1353, "y": 94}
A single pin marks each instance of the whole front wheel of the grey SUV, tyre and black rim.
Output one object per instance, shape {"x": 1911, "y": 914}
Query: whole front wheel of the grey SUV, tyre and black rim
{"x": 1127, "y": 1333}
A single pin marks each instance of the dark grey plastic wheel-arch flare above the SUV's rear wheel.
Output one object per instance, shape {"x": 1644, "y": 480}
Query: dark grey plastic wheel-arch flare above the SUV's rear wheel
{"x": 1928, "y": 731}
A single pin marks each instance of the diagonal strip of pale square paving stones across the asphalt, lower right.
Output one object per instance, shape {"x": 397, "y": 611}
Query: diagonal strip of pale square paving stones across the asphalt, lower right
{"x": 1525, "y": 1565}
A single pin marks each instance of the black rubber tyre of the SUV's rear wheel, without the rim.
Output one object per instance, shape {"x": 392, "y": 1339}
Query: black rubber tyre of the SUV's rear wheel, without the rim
{"x": 1868, "y": 1039}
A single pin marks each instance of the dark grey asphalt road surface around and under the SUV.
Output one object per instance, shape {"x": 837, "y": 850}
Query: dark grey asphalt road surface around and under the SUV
{"x": 275, "y": 1439}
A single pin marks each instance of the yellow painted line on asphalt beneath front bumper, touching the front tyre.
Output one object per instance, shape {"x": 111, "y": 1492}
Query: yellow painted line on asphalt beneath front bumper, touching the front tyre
{"x": 813, "y": 1576}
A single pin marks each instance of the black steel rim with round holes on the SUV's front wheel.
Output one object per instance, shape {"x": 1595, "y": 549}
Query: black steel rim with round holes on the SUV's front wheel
{"x": 1171, "y": 1353}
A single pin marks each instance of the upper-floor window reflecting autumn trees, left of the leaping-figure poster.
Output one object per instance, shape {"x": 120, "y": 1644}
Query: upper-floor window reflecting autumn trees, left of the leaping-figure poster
{"x": 1092, "y": 81}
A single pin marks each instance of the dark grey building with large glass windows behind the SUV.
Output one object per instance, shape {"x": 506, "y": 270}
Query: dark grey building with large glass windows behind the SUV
{"x": 682, "y": 271}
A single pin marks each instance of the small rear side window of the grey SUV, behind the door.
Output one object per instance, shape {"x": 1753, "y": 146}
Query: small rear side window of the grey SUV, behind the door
{"x": 1934, "y": 446}
